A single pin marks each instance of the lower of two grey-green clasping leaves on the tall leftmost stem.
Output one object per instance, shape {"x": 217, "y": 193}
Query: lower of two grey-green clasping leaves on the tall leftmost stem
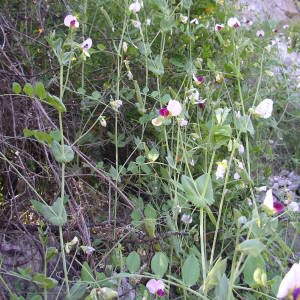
{"x": 51, "y": 213}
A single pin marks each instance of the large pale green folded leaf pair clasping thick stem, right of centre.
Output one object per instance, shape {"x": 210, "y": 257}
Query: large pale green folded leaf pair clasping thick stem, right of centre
{"x": 199, "y": 191}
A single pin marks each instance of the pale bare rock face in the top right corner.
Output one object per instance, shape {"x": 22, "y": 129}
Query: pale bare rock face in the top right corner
{"x": 278, "y": 10}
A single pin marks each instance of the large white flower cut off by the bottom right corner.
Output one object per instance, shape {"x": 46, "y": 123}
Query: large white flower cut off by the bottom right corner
{"x": 290, "y": 284}
